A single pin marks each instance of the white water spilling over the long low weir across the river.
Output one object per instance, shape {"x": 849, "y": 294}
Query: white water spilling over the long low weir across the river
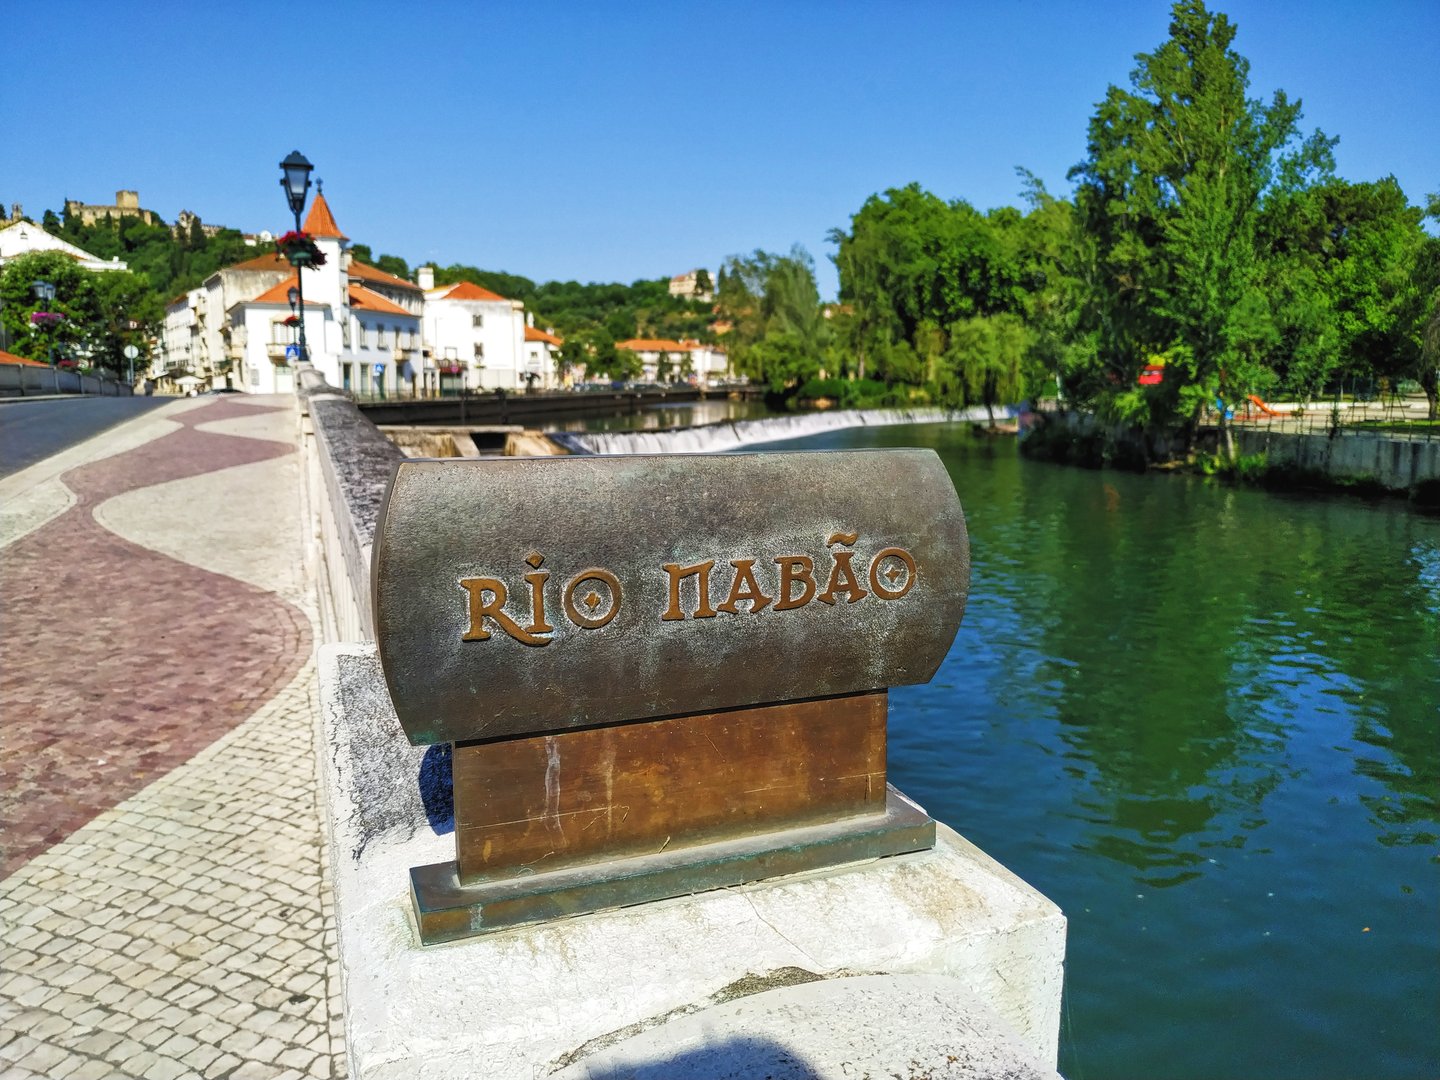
{"x": 738, "y": 434}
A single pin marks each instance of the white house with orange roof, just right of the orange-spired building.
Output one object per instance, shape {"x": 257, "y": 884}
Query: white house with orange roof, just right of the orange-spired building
{"x": 476, "y": 338}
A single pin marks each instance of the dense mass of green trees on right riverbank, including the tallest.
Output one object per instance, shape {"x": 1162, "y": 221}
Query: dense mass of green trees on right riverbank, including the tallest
{"x": 1209, "y": 253}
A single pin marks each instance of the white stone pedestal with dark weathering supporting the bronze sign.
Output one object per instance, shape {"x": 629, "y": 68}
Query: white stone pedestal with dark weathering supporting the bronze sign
{"x": 692, "y": 986}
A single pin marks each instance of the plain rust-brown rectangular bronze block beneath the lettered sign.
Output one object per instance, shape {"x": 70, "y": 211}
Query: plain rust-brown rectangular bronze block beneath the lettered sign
{"x": 536, "y": 806}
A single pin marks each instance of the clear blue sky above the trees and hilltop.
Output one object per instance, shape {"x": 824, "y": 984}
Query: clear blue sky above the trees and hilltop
{"x": 613, "y": 143}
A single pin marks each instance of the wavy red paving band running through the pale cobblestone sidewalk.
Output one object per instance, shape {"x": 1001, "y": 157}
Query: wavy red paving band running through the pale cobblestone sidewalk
{"x": 119, "y": 663}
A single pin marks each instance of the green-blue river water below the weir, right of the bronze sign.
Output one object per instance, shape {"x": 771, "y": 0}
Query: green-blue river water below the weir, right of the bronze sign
{"x": 1206, "y": 722}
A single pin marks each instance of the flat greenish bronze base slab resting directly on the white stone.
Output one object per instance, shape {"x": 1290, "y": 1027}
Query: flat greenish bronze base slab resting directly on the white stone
{"x": 449, "y": 911}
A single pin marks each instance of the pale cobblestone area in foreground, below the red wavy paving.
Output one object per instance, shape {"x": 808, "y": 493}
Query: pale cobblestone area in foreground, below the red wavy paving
{"x": 186, "y": 932}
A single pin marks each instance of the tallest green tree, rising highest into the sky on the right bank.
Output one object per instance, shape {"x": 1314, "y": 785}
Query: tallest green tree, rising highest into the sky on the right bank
{"x": 1171, "y": 191}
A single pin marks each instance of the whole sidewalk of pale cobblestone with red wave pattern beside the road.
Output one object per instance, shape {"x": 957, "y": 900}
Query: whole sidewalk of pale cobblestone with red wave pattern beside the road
{"x": 166, "y": 911}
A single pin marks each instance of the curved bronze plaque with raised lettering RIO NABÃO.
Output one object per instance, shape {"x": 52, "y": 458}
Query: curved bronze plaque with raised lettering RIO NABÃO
{"x": 528, "y": 597}
